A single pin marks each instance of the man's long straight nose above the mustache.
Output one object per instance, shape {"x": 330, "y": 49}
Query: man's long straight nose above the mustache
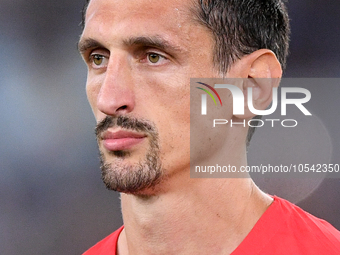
{"x": 116, "y": 96}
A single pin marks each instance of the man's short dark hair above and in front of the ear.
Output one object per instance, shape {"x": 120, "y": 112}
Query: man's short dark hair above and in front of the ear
{"x": 241, "y": 27}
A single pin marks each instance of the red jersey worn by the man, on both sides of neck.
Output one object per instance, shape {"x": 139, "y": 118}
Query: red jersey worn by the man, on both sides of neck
{"x": 283, "y": 229}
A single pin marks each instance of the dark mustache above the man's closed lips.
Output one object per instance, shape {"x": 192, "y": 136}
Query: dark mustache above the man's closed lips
{"x": 124, "y": 122}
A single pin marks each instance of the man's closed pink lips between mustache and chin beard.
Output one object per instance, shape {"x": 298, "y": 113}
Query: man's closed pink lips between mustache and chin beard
{"x": 121, "y": 140}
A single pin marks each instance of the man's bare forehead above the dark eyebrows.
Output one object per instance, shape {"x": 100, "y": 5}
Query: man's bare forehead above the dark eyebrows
{"x": 139, "y": 16}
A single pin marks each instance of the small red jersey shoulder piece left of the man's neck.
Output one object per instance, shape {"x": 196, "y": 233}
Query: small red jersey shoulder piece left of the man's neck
{"x": 106, "y": 246}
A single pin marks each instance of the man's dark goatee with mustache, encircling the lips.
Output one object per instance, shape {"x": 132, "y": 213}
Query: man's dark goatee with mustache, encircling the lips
{"x": 131, "y": 178}
